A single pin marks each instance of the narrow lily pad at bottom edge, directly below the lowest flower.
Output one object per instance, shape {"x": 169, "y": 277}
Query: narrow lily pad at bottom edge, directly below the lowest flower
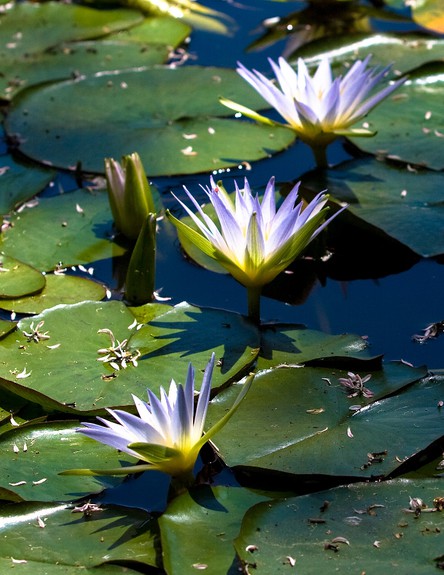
{"x": 213, "y": 514}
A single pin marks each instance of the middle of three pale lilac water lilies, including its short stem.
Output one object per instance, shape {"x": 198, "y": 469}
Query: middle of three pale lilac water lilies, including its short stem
{"x": 254, "y": 240}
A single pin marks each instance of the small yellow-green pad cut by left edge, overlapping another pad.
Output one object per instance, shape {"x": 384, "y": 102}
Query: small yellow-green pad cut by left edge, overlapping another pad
{"x": 18, "y": 279}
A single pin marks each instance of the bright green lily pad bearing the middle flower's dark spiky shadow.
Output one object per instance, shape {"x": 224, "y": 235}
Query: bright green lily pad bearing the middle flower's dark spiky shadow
{"x": 58, "y": 366}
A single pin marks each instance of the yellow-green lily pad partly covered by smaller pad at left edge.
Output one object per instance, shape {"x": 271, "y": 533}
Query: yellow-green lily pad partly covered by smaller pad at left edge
{"x": 59, "y": 289}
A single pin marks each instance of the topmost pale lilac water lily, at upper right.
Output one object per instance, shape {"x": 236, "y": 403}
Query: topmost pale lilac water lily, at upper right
{"x": 318, "y": 108}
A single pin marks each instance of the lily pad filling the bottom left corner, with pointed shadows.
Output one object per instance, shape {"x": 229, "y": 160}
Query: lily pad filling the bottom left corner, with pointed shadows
{"x": 116, "y": 534}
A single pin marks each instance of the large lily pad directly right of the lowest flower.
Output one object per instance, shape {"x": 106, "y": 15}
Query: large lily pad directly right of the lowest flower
{"x": 310, "y": 428}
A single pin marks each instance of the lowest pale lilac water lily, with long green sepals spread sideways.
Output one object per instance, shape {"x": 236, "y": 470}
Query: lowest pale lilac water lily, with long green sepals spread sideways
{"x": 167, "y": 433}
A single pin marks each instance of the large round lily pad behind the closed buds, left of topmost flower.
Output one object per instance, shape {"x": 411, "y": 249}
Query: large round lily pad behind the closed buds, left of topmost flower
{"x": 173, "y": 132}
